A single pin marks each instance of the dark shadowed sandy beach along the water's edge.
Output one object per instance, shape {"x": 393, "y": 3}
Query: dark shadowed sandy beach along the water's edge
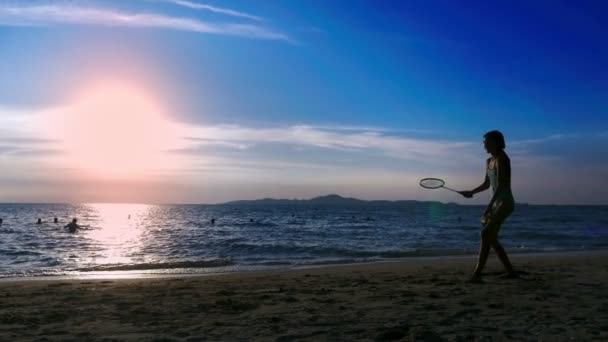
{"x": 561, "y": 298}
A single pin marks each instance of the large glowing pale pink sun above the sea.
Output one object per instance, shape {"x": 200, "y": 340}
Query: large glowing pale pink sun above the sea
{"x": 116, "y": 129}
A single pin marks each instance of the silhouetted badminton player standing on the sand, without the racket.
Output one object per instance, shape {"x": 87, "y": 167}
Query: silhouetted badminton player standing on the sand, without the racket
{"x": 498, "y": 176}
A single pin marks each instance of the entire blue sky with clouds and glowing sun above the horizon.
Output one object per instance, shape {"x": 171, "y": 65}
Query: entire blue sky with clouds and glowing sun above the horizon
{"x": 175, "y": 101}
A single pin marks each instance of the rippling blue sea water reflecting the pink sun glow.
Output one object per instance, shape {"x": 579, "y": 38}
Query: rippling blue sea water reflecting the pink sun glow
{"x": 182, "y": 239}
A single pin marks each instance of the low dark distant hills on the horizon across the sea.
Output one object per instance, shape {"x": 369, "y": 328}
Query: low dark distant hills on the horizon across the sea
{"x": 332, "y": 199}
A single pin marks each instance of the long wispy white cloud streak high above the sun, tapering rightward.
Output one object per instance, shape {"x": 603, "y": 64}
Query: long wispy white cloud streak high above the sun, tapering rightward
{"x": 65, "y": 14}
